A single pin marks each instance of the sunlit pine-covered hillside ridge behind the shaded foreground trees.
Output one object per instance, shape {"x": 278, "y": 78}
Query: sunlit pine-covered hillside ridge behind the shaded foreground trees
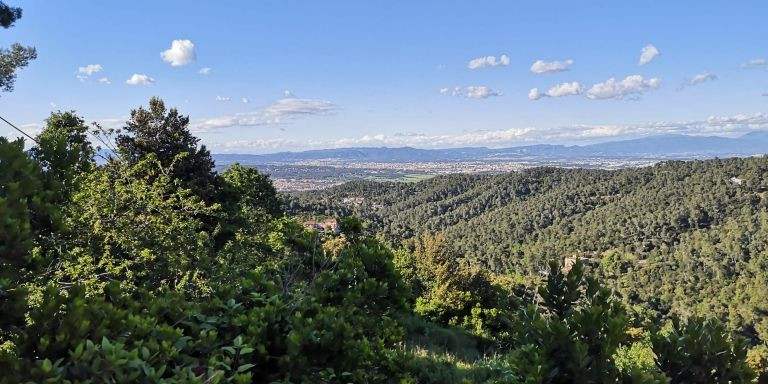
{"x": 684, "y": 238}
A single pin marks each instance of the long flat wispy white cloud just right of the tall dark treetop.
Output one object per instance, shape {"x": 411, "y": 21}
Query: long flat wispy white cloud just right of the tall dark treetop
{"x": 281, "y": 111}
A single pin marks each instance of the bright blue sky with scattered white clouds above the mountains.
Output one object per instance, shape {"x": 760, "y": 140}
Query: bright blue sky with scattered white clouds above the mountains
{"x": 376, "y": 73}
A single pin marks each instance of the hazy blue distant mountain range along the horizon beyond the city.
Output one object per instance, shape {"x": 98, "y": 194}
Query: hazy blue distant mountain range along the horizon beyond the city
{"x": 657, "y": 147}
